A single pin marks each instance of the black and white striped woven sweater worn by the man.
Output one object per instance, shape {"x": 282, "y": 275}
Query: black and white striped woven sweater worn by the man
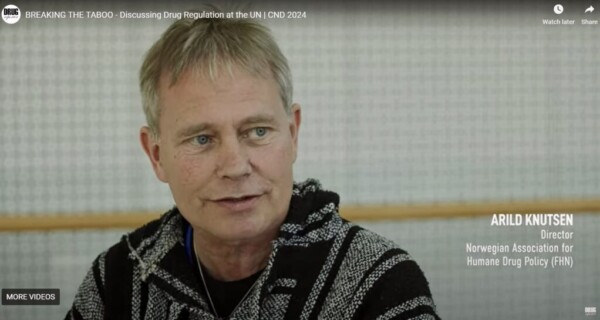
{"x": 321, "y": 267}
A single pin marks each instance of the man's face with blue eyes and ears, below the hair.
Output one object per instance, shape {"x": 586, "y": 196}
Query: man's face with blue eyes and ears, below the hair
{"x": 226, "y": 149}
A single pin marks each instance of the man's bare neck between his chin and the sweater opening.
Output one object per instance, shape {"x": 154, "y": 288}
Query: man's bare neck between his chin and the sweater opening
{"x": 235, "y": 260}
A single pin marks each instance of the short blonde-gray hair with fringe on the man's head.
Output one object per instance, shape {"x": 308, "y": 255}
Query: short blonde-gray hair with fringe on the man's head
{"x": 208, "y": 45}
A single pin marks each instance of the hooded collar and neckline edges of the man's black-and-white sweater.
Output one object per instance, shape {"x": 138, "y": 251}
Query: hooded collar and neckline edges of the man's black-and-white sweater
{"x": 312, "y": 217}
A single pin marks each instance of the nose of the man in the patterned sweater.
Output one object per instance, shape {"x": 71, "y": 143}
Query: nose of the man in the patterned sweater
{"x": 233, "y": 160}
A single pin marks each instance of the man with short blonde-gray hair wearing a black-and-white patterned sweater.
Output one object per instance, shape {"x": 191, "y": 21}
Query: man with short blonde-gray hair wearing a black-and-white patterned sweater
{"x": 244, "y": 241}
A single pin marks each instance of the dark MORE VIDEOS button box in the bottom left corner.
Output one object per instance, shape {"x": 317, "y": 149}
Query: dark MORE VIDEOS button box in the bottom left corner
{"x": 30, "y": 297}
